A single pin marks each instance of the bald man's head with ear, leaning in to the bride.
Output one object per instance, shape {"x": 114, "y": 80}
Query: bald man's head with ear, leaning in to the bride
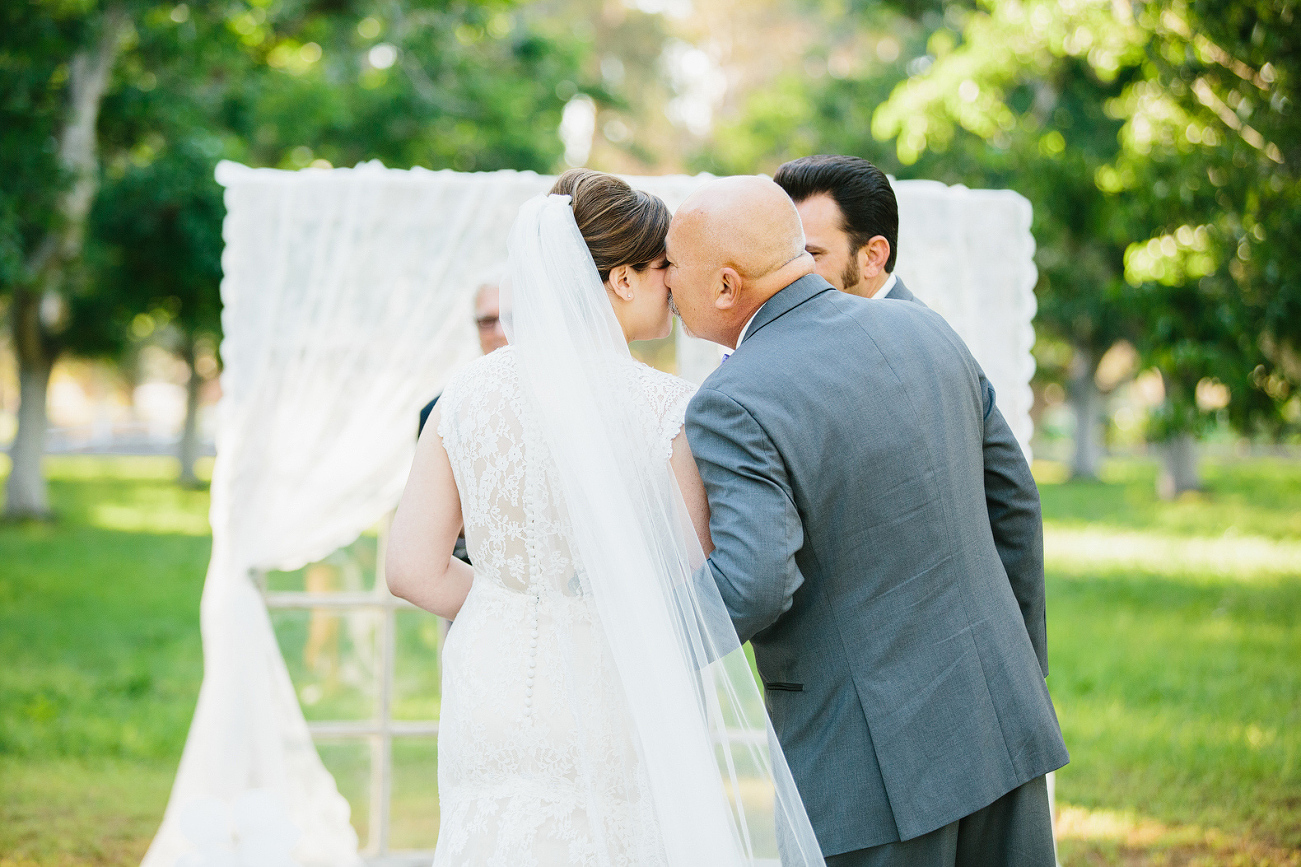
{"x": 733, "y": 245}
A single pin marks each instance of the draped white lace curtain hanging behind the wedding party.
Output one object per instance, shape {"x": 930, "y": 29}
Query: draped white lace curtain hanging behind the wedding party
{"x": 347, "y": 304}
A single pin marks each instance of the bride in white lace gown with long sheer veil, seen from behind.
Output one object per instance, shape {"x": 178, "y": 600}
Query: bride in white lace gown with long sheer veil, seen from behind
{"x": 598, "y": 708}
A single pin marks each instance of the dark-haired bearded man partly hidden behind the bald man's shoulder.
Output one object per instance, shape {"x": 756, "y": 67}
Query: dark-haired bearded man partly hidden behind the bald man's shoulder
{"x": 852, "y": 223}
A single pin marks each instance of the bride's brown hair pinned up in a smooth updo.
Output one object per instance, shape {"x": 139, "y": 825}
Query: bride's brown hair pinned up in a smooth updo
{"x": 620, "y": 225}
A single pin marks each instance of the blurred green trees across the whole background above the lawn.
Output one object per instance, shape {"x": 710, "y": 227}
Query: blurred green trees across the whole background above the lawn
{"x": 1159, "y": 143}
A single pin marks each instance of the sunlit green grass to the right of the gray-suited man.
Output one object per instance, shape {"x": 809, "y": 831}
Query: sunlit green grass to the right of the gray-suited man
{"x": 1177, "y": 666}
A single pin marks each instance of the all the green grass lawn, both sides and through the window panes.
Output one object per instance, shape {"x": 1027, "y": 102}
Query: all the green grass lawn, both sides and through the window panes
{"x": 1174, "y": 639}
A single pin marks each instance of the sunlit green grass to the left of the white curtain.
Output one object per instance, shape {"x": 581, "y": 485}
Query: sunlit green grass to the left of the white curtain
{"x": 101, "y": 661}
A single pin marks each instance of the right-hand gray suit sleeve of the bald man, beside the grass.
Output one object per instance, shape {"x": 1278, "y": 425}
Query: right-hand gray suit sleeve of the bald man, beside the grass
{"x": 1017, "y": 520}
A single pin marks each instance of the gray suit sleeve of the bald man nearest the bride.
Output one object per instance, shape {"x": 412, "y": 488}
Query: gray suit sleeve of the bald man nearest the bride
{"x": 753, "y": 519}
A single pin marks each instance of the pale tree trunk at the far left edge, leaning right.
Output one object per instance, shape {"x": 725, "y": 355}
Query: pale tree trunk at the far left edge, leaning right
{"x": 40, "y": 310}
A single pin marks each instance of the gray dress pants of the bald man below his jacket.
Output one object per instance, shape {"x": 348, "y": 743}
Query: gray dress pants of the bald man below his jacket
{"x": 1015, "y": 831}
